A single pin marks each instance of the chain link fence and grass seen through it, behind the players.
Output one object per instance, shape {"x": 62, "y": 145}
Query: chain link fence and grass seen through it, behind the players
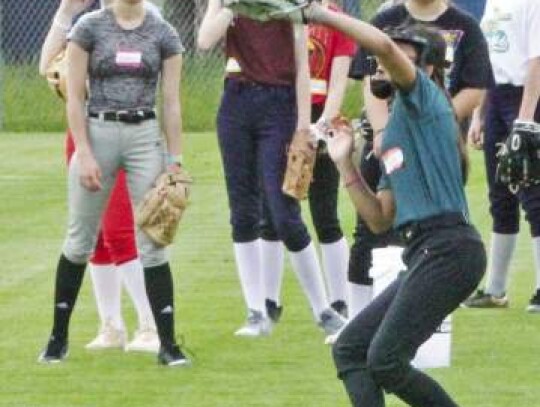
{"x": 26, "y": 103}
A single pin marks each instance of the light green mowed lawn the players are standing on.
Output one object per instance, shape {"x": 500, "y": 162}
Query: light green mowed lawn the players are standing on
{"x": 495, "y": 360}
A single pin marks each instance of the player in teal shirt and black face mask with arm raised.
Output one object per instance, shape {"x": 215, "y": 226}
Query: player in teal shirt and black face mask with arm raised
{"x": 421, "y": 194}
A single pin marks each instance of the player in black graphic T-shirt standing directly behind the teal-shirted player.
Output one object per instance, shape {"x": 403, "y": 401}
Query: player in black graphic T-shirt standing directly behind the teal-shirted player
{"x": 466, "y": 78}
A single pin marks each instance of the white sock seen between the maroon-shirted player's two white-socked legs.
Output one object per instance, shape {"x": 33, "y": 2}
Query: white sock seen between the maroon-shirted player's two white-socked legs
{"x": 272, "y": 258}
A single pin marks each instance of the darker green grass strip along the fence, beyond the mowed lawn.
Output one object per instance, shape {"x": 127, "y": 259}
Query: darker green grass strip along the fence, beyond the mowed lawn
{"x": 28, "y": 105}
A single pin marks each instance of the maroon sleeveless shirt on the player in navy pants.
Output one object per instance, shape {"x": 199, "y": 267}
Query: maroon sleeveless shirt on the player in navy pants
{"x": 264, "y": 52}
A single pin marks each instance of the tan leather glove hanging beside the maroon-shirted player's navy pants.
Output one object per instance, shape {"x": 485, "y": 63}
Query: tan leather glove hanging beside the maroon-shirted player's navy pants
{"x": 300, "y": 163}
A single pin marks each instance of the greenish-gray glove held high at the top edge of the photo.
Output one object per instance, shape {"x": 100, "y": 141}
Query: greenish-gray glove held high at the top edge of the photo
{"x": 265, "y": 10}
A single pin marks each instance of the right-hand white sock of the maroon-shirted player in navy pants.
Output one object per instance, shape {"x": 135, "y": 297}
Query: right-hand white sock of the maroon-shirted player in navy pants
{"x": 306, "y": 267}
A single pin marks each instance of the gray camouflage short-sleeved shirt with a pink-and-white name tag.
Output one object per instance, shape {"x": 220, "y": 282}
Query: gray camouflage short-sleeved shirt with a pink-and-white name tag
{"x": 124, "y": 65}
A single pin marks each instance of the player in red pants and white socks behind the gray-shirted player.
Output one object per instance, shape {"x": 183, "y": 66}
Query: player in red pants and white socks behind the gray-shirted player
{"x": 115, "y": 260}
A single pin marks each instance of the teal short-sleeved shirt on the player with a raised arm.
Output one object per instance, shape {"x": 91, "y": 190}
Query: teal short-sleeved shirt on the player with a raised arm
{"x": 420, "y": 158}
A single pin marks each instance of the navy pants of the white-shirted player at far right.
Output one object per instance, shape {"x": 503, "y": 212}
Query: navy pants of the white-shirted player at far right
{"x": 503, "y": 103}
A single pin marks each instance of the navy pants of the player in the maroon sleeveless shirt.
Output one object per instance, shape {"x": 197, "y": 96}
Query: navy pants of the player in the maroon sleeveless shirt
{"x": 255, "y": 124}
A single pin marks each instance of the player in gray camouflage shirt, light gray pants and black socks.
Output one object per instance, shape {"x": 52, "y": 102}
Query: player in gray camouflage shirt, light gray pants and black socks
{"x": 122, "y": 50}
